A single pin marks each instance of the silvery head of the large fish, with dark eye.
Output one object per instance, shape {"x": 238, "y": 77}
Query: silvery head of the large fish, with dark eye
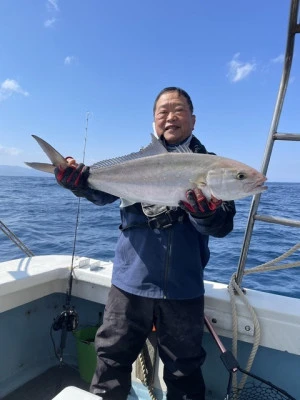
{"x": 234, "y": 181}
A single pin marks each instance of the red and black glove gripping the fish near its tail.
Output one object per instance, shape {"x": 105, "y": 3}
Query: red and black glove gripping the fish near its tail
{"x": 72, "y": 177}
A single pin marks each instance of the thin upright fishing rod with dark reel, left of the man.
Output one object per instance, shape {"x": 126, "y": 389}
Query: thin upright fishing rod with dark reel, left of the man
{"x": 68, "y": 320}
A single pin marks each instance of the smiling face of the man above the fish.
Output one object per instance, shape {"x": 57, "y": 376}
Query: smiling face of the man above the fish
{"x": 173, "y": 118}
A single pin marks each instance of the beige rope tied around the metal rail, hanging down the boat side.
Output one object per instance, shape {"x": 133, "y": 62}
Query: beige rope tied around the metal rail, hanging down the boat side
{"x": 234, "y": 290}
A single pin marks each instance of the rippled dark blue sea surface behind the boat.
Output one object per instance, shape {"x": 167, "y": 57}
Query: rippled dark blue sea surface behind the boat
{"x": 43, "y": 216}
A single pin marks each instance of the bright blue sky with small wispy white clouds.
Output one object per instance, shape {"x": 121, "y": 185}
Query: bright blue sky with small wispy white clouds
{"x": 62, "y": 59}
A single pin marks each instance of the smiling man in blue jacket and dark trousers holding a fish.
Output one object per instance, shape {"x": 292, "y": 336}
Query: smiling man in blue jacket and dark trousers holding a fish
{"x": 158, "y": 271}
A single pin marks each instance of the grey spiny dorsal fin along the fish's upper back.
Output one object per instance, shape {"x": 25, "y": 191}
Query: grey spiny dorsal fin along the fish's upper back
{"x": 154, "y": 148}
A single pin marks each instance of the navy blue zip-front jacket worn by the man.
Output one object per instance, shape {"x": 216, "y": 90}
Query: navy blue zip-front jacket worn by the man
{"x": 164, "y": 263}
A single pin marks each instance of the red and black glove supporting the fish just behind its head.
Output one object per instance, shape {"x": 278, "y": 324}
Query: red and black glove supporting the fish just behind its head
{"x": 197, "y": 204}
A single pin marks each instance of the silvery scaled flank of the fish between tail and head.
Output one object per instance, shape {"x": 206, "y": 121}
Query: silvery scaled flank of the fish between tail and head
{"x": 161, "y": 179}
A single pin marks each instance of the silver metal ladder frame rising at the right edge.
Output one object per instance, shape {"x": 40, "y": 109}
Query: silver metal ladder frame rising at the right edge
{"x": 293, "y": 29}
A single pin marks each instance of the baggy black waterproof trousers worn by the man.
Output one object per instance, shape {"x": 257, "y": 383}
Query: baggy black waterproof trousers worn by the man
{"x": 127, "y": 322}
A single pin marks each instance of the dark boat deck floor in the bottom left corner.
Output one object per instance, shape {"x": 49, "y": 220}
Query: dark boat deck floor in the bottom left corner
{"x": 47, "y": 385}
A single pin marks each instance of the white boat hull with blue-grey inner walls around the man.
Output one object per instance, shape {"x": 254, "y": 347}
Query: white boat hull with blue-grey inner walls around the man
{"x": 32, "y": 293}
